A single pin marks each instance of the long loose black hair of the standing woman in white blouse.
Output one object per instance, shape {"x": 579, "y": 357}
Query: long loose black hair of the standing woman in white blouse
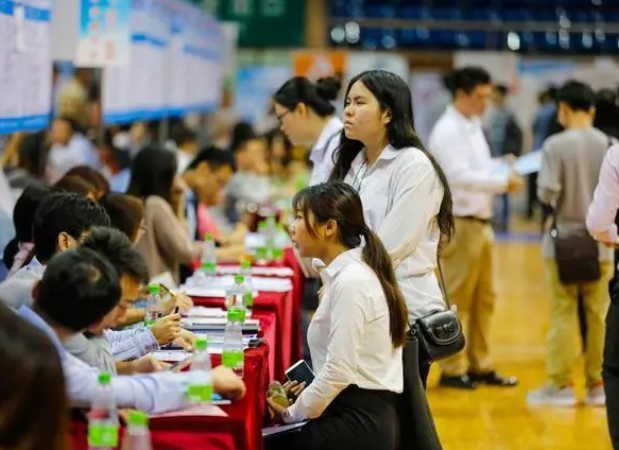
{"x": 394, "y": 95}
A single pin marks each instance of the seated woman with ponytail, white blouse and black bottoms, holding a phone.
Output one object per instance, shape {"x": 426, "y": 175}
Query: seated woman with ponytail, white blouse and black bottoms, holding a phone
{"x": 356, "y": 335}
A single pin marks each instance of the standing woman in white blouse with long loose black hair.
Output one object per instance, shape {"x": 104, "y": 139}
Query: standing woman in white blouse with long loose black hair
{"x": 405, "y": 195}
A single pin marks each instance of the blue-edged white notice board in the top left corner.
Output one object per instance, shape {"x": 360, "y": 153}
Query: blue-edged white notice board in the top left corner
{"x": 25, "y": 65}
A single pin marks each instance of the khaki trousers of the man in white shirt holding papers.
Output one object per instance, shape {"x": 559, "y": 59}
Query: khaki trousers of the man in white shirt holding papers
{"x": 467, "y": 263}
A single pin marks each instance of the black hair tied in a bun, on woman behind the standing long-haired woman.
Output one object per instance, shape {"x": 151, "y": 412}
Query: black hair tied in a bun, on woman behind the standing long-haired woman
{"x": 317, "y": 96}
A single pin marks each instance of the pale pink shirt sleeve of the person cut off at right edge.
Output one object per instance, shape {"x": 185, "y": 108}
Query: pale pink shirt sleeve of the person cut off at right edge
{"x": 603, "y": 208}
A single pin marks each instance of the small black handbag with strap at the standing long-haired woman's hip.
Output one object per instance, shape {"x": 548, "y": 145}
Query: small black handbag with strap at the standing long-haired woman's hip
{"x": 440, "y": 333}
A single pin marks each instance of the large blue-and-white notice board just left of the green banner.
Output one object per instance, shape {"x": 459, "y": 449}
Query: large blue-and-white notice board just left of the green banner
{"x": 175, "y": 64}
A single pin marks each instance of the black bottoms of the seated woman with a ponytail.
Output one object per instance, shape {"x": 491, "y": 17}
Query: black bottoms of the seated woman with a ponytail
{"x": 357, "y": 419}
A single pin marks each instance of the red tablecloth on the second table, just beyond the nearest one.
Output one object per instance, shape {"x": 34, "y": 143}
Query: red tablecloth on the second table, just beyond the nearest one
{"x": 281, "y": 304}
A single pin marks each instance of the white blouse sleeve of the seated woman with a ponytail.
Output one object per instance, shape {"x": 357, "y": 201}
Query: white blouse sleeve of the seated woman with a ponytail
{"x": 348, "y": 312}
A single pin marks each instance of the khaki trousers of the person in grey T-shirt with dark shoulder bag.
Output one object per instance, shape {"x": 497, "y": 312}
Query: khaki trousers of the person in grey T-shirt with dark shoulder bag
{"x": 562, "y": 337}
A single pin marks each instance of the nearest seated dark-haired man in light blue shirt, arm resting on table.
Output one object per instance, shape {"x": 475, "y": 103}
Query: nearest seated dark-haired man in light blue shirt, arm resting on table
{"x": 78, "y": 289}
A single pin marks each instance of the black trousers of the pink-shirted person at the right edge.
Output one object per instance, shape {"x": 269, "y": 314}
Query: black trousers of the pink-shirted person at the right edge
{"x": 610, "y": 367}
